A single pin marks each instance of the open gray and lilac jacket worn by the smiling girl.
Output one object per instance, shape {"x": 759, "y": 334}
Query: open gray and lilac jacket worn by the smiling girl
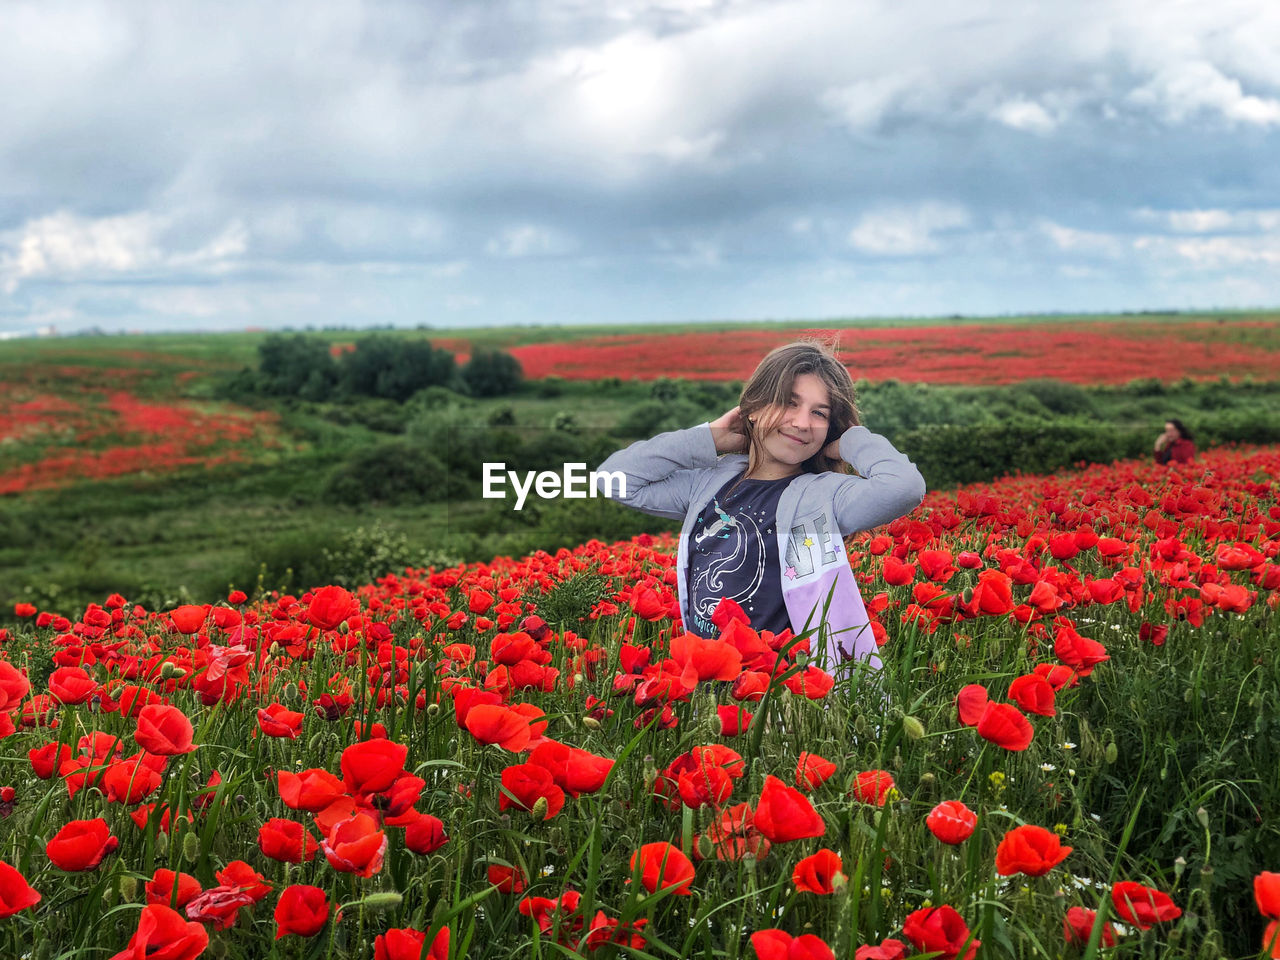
{"x": 676, "y": 474}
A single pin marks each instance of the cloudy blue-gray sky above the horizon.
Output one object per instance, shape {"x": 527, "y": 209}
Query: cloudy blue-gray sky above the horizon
{"x": 177, "y": 166}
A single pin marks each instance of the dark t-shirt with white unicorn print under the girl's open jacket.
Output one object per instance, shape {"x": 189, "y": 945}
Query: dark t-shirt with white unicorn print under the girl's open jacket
{"x": 734, "y": 554}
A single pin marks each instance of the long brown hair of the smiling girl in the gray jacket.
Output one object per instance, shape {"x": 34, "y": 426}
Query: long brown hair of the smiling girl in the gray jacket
{"x": 769, "y": 391}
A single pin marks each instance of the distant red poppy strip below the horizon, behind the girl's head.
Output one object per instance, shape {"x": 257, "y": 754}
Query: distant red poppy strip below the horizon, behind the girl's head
{"x": 1078, "y": 351}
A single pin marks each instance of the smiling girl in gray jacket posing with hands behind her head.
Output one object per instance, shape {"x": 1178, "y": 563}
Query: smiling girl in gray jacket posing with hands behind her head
{"x": 767, "y": 499}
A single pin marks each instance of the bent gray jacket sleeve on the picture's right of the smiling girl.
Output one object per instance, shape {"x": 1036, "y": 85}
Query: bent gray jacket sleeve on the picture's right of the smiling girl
{"x": 889, "y": 486}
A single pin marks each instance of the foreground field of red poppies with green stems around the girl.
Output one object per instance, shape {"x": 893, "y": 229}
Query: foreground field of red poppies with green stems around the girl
{"x": 1072, "y": 752}
